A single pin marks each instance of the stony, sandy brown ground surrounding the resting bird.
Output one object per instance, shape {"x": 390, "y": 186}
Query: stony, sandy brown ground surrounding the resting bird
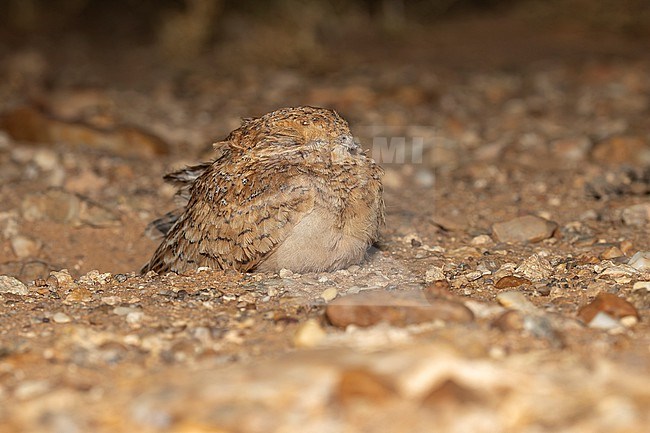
{"x": 510, "y": 291}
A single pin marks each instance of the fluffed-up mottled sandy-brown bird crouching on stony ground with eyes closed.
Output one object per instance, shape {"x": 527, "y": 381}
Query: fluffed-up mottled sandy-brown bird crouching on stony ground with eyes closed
{"x": 290, "y": 189}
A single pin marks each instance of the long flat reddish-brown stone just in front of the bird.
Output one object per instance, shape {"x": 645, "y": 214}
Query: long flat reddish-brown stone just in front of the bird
{"x": 374, "y": 306}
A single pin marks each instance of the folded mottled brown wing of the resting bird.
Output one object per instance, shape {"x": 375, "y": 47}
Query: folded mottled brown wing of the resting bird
{"x": 235, "y": 218}
